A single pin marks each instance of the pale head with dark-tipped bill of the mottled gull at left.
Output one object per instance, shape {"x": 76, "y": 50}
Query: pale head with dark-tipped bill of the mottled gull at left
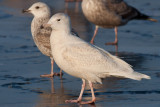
{"x": 38, "y": 9}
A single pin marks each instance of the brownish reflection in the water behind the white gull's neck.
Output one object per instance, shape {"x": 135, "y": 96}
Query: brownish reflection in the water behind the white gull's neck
{"x": 79, "y": 22}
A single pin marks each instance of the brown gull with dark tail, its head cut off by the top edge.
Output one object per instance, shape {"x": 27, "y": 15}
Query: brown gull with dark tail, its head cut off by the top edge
{"x": 110, "y": 14}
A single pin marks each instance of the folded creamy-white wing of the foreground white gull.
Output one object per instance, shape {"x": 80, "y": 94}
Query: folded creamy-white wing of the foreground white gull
{"x": 88, "y": 57}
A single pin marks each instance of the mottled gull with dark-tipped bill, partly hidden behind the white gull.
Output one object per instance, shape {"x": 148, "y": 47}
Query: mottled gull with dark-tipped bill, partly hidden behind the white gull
{"x": 41, "y": 36}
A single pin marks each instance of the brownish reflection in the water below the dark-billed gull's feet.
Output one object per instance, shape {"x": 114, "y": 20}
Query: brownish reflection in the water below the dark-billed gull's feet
{"x": 56, "y": 97}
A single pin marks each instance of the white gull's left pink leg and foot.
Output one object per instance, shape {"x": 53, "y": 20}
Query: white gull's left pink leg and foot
{"x": 80, "y": 96}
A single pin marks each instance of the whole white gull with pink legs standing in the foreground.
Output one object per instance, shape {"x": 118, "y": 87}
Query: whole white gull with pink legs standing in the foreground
{"x": 84, "y": 60}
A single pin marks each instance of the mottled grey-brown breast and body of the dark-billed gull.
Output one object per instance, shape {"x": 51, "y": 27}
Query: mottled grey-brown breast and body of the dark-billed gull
{"x": 41, "y": 36}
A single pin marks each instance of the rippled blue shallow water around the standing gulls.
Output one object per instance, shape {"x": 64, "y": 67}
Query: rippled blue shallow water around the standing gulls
{"x": 21, "y": 63}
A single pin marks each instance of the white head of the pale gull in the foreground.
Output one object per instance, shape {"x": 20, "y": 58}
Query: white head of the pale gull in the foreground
{"x": 59, "y": 21}
